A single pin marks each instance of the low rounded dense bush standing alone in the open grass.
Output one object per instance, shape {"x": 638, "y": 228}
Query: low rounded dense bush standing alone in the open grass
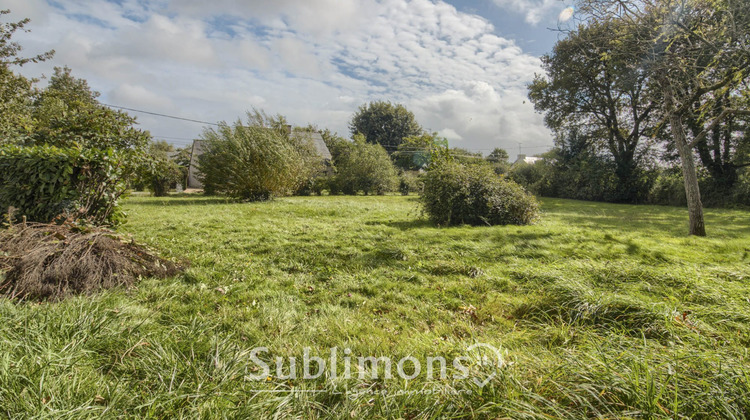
{"x": 455, "y": 194}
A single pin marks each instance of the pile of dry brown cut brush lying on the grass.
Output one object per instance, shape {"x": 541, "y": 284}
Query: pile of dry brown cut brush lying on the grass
{"x": 50, "y": 261}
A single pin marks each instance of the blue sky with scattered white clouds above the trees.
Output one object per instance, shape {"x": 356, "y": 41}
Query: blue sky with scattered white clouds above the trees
{"x": 460, "y": 66}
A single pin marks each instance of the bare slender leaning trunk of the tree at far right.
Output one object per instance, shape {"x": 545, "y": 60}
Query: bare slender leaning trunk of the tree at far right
{"x": 689, "y": 173}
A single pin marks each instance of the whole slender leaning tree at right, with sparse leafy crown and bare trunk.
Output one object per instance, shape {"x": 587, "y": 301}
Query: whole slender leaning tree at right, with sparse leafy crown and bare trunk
{"x": 692, "y": 52}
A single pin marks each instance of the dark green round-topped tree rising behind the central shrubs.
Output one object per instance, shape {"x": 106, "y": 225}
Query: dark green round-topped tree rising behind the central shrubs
{"x": 385, "y": 124}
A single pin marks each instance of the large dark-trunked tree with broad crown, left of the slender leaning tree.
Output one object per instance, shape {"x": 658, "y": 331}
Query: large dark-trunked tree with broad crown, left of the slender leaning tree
{"x": 590, "y": 82}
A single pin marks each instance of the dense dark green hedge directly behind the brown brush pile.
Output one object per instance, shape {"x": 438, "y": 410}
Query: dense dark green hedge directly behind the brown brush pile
{"x": 42, "y": 182}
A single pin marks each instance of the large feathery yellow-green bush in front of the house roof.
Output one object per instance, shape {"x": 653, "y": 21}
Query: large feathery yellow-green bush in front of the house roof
{"x": 252, "y": 162}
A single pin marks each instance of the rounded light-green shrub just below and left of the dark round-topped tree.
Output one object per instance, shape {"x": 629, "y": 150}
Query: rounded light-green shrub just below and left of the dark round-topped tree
{"x": 363, "y": 167}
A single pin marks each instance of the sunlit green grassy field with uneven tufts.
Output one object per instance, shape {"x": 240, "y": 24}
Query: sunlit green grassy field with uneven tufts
{"x": 599, "y": 311}
